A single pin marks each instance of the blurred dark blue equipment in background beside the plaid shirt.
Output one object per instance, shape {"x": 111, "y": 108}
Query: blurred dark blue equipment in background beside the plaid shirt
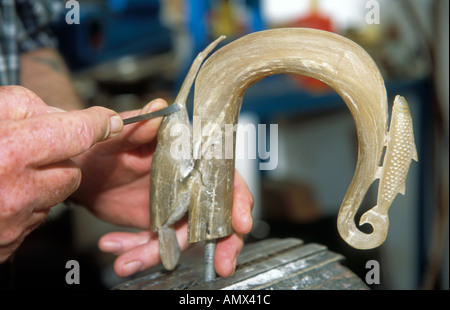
{"x": 110, "y": 30}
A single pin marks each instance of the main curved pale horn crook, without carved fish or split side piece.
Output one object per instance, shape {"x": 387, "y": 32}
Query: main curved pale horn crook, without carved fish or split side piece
{"x": 220, "y": 87}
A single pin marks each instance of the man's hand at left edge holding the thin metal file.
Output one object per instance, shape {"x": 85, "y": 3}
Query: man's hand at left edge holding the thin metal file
{"x": 36, "y": 173}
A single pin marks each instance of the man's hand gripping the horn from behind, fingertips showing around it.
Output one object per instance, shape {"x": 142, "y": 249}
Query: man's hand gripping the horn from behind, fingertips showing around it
{"x": 115, "y": 187}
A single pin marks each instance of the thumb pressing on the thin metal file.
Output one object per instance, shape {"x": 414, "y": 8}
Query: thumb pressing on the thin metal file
{"x": 54, "y": 137}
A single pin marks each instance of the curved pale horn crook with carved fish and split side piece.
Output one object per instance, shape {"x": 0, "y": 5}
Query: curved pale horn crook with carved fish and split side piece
{"x": 204, "y": 181}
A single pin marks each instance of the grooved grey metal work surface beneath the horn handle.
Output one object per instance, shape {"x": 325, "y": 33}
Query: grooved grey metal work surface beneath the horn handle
{"x": 272, "y": 264}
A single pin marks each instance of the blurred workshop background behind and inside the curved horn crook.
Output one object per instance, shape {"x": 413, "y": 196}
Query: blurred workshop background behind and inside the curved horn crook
{"x": 124, "y": 53}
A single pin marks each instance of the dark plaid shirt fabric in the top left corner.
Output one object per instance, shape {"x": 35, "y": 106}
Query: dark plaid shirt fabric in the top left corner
{"x": 23, "y": 27}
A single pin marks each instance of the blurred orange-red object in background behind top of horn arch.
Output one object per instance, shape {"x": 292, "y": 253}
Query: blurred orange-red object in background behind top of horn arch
{"x": 317, "y": 20}
